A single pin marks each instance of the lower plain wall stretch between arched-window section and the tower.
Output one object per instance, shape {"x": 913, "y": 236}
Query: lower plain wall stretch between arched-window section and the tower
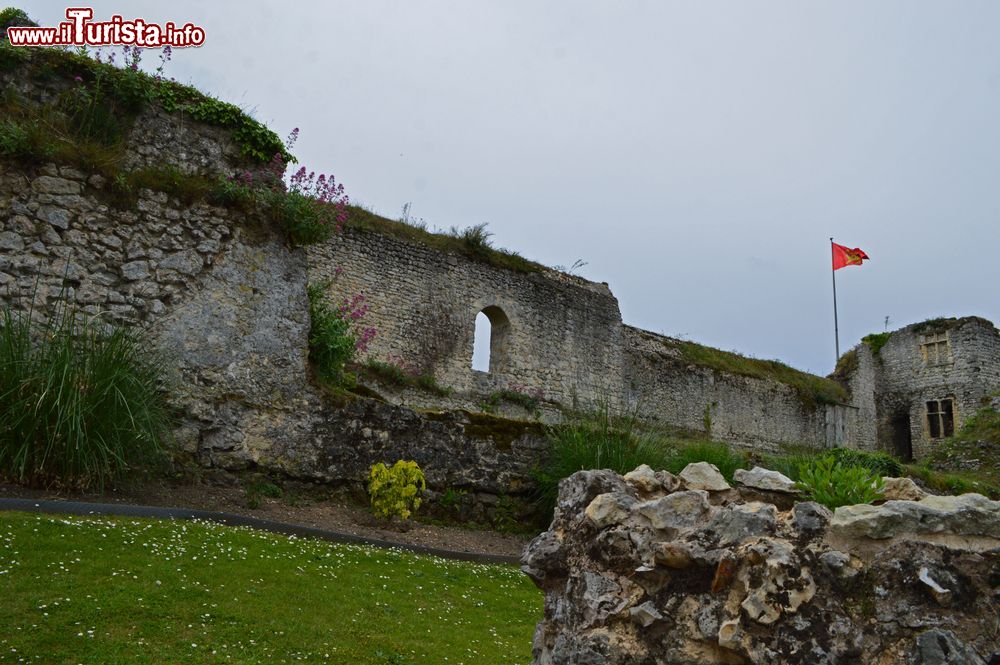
{"x": 749, "y": 412}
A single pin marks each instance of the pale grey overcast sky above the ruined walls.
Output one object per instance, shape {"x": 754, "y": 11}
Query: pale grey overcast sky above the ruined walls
{"x": 697, "y": 156}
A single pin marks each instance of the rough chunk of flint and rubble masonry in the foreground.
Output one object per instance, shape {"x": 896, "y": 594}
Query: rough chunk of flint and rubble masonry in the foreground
{"x": 672, "y": 571}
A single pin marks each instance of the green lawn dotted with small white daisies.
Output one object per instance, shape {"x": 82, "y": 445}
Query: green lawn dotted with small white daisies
{"x": 114, "y": 590}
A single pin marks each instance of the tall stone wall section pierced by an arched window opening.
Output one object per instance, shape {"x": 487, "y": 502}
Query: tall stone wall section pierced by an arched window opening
{"x": 564, "y": 335}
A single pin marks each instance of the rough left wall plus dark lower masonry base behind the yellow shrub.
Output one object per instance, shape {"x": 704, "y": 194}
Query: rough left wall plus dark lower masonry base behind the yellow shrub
{"x": 223, "y": 299}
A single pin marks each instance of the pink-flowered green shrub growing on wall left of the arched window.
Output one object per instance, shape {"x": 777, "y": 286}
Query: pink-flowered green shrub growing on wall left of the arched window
{"x": 334, "y": 333}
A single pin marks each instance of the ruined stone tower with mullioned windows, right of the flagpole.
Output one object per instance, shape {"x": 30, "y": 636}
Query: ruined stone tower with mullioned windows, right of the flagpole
{"x": 906, "y": 379}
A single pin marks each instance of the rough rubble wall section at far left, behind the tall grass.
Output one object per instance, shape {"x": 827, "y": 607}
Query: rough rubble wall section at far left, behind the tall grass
{"x": 225, "y": 305}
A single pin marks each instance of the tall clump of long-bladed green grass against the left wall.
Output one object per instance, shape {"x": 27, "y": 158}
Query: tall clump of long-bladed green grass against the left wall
{"x": 80, "y": 400}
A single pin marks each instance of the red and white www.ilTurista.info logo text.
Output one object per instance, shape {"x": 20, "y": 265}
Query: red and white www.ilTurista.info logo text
{"x": 79, "y": 30}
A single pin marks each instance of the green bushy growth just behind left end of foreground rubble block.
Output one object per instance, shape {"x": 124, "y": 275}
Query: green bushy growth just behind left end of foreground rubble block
{"x": 596, "y": 441}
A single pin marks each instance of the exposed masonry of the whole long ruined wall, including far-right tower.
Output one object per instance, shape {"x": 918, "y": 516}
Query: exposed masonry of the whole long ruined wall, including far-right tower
{"x": 224, "y": 298}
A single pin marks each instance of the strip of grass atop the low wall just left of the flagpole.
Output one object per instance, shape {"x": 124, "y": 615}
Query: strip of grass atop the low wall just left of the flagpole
{"x": 811, "y": 388}
